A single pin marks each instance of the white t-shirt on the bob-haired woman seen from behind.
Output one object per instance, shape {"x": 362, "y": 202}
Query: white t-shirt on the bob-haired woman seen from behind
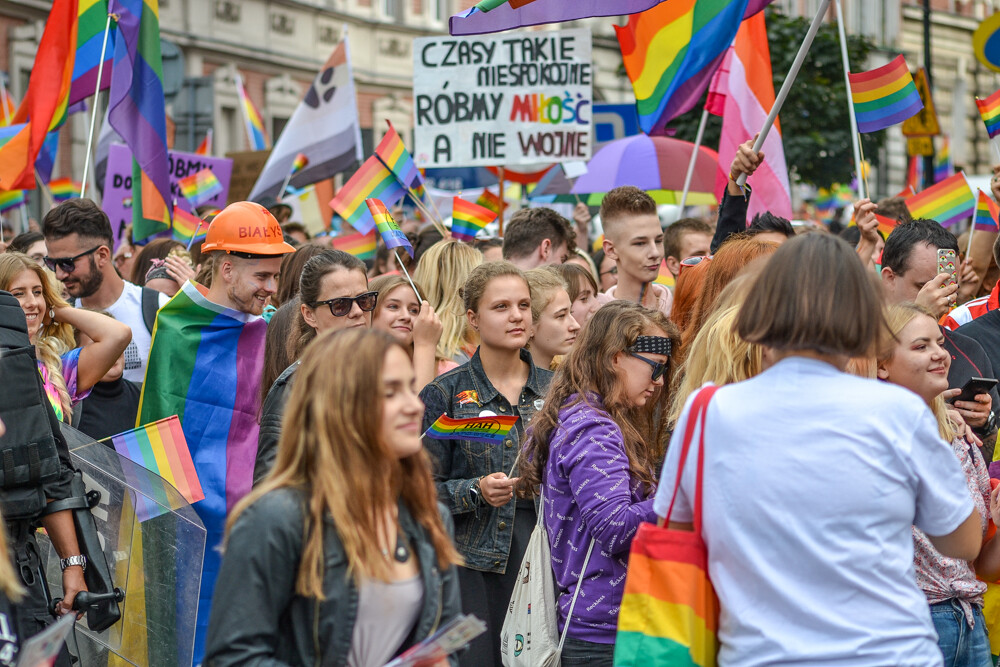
{"x": 812, "y": 480}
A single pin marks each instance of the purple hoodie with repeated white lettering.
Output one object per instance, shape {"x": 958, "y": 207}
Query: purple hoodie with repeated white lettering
{"x": 589, "y": 494}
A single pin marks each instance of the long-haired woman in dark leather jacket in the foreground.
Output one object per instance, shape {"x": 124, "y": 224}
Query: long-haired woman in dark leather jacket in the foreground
{"x": 342, "y": 556}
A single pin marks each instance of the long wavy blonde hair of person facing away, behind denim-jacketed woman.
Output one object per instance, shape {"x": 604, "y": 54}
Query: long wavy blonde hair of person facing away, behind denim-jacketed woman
{"x": 442, "y": 270}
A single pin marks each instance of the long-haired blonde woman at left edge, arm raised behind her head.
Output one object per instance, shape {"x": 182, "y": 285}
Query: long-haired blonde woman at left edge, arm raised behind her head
{"x": 68, "y": 372}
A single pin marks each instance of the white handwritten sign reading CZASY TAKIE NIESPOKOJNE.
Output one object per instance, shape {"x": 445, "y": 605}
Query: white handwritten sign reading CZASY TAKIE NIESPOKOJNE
{"x": 516, "y": 98}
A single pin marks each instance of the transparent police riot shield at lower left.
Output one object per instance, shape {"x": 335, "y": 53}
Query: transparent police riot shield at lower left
{"x": 154, "y": 544}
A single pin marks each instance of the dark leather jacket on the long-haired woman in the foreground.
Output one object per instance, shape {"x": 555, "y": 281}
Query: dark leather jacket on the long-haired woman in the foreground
{"x": 258, "y": 619}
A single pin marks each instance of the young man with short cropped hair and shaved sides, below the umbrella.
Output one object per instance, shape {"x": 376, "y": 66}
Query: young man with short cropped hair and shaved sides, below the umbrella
{"x": 633, "y": 238}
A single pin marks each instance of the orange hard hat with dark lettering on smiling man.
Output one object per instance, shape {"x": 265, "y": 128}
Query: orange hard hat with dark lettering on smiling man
{"x": 246, "y": 228}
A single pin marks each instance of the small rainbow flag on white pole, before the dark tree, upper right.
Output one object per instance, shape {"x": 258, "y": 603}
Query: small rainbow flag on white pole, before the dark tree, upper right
{"x": 884, "y": 96}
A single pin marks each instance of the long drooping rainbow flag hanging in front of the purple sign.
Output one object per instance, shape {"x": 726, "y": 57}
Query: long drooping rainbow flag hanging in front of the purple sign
{"x": 136, "y": 111}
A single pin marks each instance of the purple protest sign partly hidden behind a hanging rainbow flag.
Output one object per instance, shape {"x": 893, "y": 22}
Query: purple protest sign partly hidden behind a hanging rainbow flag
{"x": 117, "y": 202}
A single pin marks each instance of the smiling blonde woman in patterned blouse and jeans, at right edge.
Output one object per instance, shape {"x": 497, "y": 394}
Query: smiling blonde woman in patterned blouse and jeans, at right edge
{"x": 915, "y": 358}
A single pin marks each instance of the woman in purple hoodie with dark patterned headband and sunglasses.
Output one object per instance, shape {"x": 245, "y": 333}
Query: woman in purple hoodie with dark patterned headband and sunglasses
{"x": 592, "y": 451}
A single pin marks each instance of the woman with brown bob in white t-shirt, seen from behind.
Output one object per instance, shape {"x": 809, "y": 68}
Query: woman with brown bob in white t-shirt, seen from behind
{"x": 831, "y": 482}
